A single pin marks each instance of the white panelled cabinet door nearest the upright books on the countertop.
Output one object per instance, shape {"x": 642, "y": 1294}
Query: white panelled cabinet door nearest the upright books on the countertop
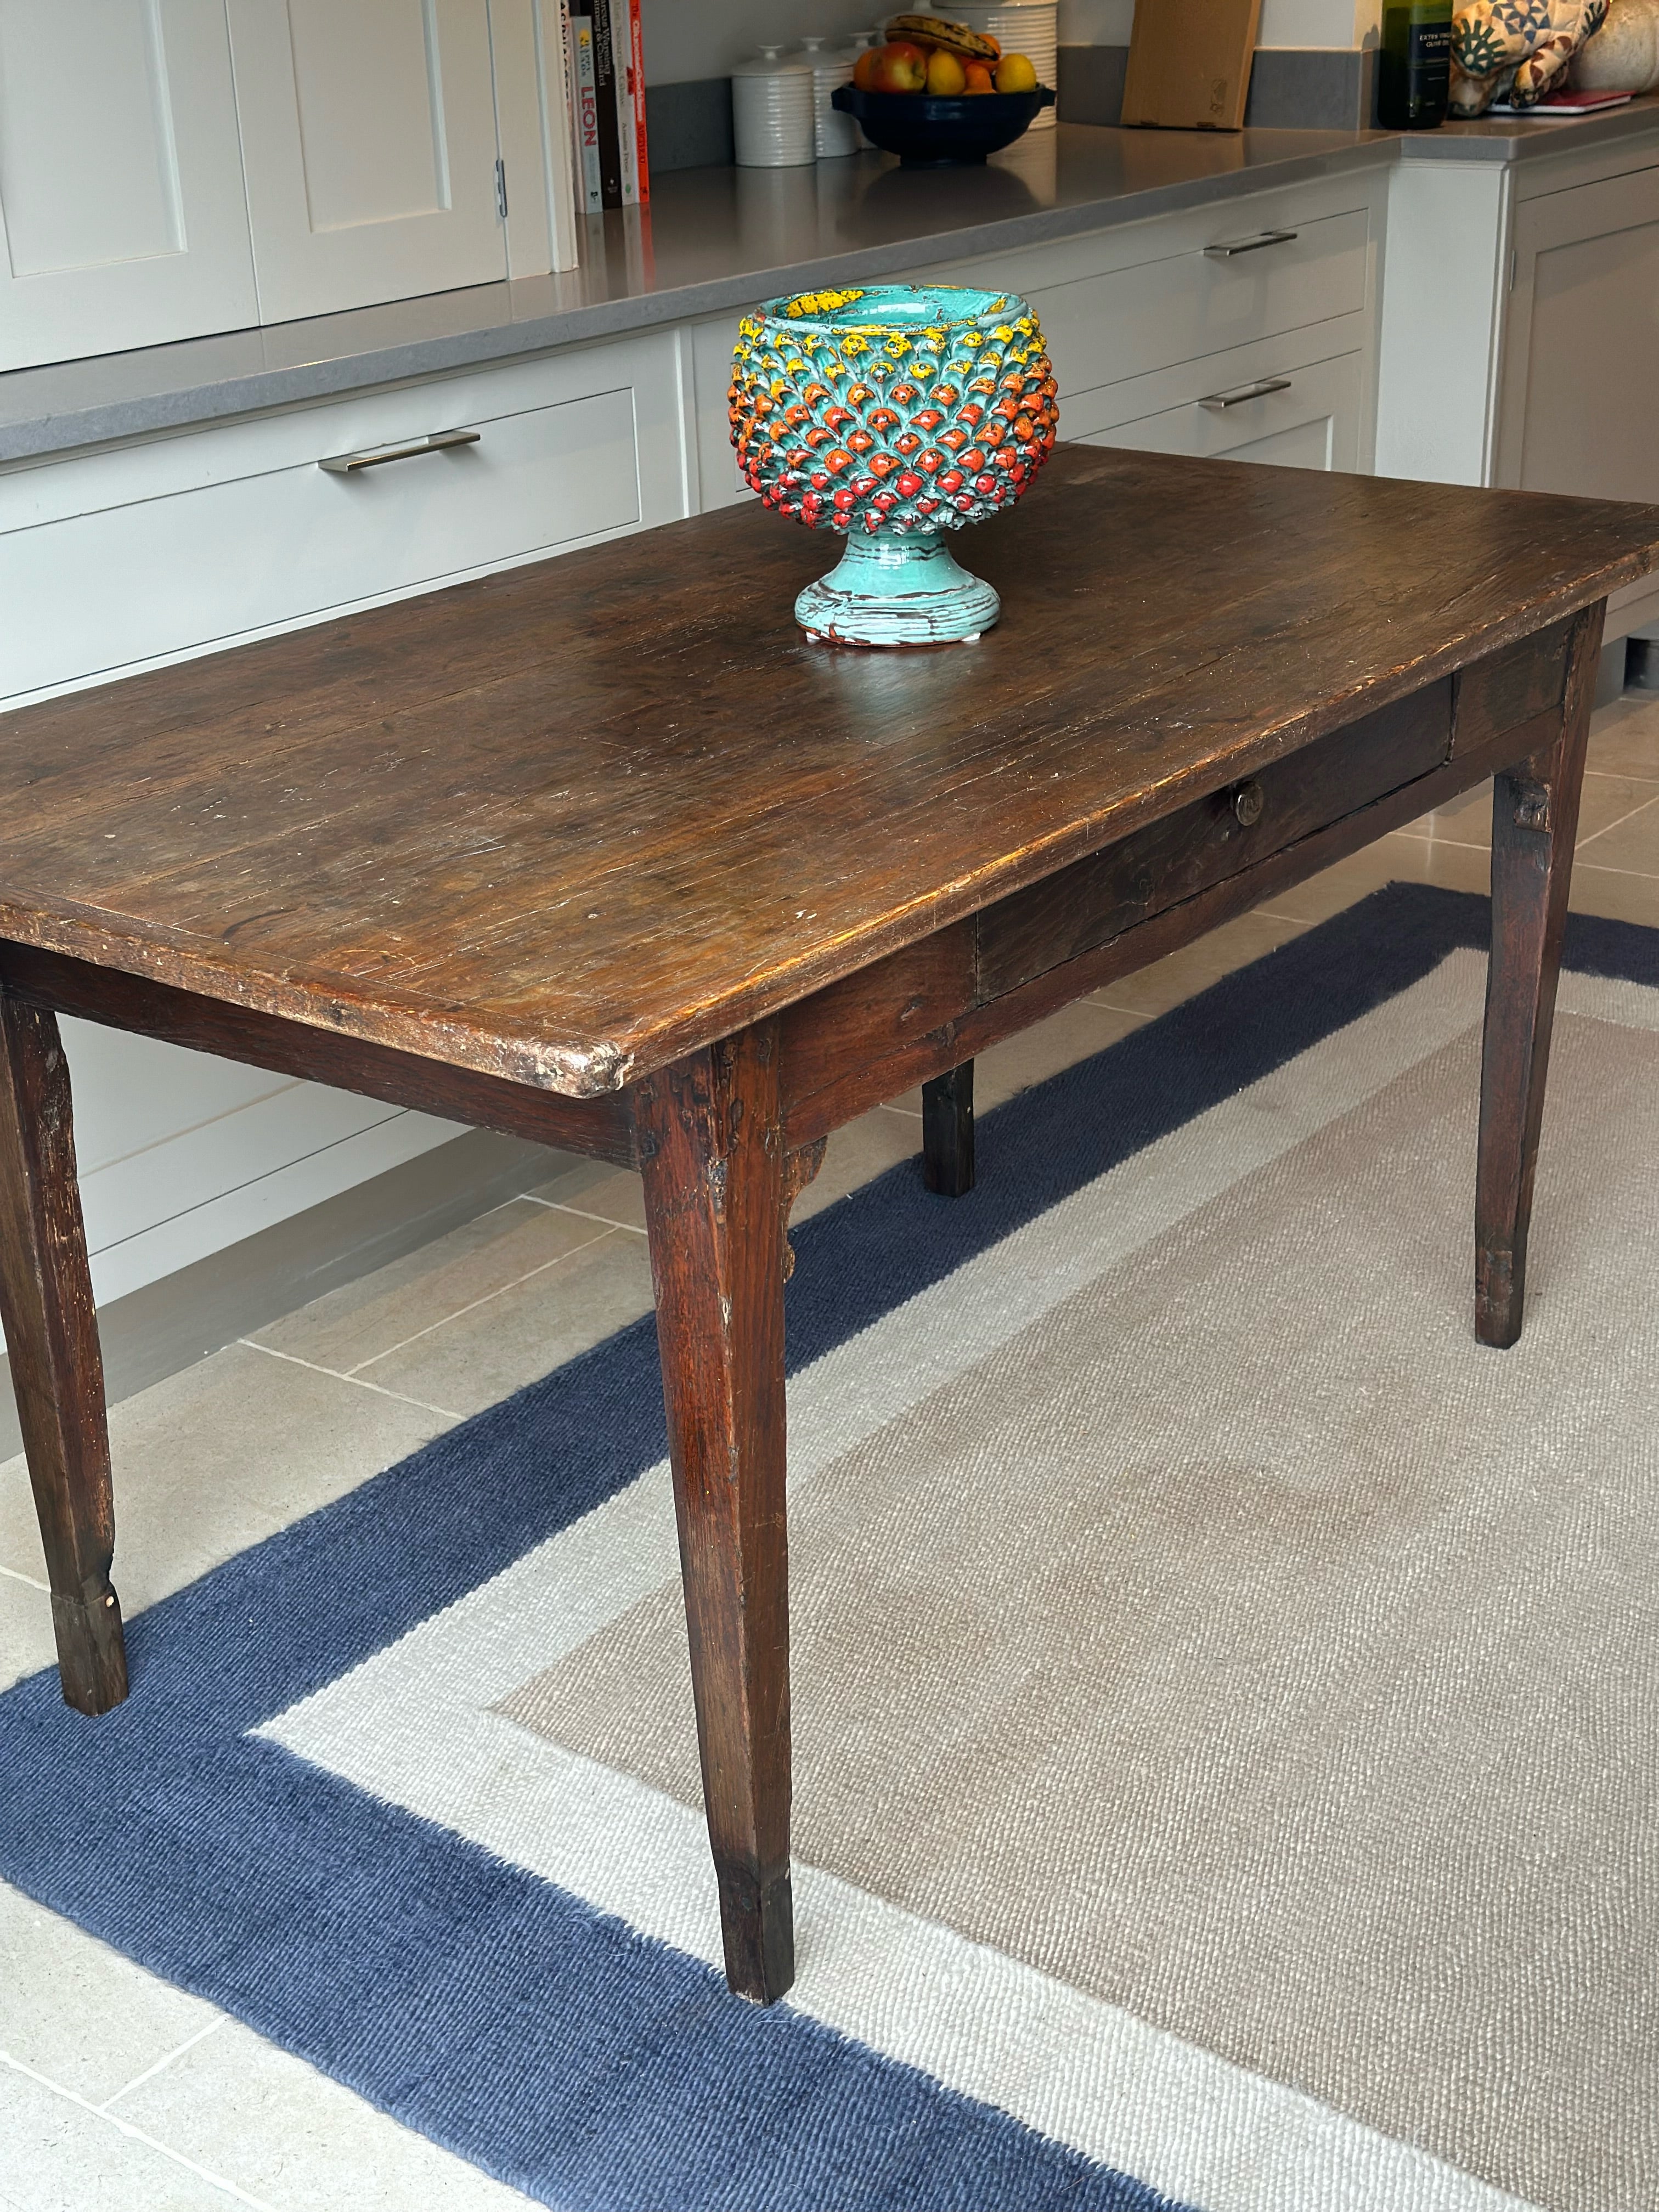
{"x": 368, "y": 134}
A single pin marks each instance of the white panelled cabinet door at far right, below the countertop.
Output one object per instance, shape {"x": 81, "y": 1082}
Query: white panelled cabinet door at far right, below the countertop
{"x": 1583, "y": 344}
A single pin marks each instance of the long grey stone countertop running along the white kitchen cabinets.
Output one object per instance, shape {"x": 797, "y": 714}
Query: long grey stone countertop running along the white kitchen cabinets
{"x": 718, "y": 240}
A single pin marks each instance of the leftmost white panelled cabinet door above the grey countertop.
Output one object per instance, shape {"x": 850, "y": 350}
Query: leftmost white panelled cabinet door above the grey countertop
{"x": 123, "y": 218}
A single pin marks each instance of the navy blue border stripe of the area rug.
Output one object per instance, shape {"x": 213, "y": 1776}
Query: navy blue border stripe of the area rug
{"x": 477, "y": 2003}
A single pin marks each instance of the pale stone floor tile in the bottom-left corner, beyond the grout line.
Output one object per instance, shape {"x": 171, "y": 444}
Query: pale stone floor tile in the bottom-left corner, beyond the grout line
{"x": 61, "y": 2158}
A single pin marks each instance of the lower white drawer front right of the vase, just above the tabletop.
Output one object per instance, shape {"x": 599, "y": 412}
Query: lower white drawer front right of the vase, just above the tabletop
{"x": 1302, "y": 417}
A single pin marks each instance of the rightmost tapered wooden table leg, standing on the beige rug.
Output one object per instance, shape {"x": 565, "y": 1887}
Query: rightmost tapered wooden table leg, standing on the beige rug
{"x": 1536, "y": 813}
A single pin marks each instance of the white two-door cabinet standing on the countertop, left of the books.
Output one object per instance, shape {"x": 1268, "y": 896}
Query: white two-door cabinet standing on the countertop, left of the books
{"x": 185, "y": 167}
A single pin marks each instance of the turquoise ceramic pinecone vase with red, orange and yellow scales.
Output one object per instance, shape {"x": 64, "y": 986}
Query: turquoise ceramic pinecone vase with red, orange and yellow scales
{"x": 893, "y": 415}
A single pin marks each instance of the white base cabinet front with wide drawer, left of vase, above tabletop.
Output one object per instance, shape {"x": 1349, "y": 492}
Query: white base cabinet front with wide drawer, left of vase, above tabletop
{"x": 118, "y": 561}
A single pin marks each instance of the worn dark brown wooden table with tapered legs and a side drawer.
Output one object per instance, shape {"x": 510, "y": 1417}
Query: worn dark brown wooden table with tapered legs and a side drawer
{"x": 605, "y": 855}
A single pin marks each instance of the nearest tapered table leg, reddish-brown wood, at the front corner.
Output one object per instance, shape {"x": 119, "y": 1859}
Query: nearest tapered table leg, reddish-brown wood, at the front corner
{"x": 711, "y": 1151}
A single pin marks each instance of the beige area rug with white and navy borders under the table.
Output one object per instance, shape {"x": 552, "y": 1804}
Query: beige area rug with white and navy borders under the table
{"x": 1227, "y": 1695}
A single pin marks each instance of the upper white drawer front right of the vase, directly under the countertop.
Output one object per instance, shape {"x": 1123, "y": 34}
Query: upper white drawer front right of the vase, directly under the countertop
{"x": 1160, "y": 313}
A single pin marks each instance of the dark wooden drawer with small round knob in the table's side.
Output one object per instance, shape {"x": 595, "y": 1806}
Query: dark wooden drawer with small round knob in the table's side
{"x": 1204, "y": 844}
